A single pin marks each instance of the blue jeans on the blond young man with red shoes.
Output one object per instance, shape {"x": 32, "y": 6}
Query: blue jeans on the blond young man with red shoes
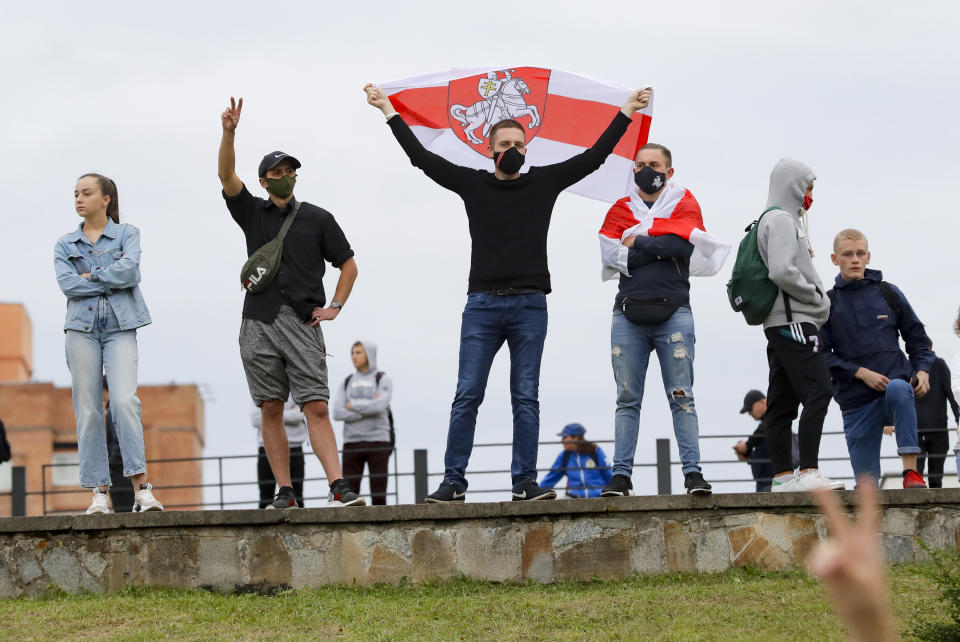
{"x": 863, "y": 427}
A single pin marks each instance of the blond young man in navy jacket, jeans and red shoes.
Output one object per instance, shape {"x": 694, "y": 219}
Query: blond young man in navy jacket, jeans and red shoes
{"x": 871, "y": 375}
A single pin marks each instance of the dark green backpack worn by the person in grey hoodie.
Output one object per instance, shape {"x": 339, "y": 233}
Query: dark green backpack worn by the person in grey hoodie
{"x": 750, "y": 289}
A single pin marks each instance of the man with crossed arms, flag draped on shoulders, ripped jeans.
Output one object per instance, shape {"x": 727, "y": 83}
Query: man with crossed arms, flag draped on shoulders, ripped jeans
{"x": 654, "y": 240}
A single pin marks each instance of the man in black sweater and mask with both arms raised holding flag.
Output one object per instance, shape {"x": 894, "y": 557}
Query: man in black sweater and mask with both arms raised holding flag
{"x": 509, "y": 216}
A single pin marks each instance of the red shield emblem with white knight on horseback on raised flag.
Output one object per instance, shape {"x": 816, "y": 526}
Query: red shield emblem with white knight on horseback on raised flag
{"x": 477, "y": 103}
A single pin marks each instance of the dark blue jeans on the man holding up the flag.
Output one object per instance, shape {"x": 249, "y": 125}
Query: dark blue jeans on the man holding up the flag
{"x": 488, "y": 321}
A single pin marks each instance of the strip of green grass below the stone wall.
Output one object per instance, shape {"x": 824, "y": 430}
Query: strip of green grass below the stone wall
{"x": 737, "y": 605}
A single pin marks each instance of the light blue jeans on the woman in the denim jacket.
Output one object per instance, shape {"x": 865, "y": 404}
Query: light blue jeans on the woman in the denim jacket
{"x": 105, "y": 348}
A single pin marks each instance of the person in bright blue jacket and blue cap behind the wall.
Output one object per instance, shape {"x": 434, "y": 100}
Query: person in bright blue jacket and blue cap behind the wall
{"x": 582, "y": 461}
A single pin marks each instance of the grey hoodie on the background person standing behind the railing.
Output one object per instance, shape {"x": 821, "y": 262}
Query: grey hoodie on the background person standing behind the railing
{"x": 366, "y": 419}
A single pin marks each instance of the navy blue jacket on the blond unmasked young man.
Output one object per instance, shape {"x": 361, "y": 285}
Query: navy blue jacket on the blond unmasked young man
{"x": 863, "y": 331}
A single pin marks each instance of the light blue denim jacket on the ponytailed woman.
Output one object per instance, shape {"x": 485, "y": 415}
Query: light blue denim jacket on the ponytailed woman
{"x": 114, "y": 267}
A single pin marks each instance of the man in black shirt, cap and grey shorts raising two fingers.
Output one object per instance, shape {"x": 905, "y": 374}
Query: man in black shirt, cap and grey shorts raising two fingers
{"x": 281, "y": 345}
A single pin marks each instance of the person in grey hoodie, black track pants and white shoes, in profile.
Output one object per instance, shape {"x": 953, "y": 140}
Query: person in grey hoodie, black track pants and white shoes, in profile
{"x": 798, "y": 371}
